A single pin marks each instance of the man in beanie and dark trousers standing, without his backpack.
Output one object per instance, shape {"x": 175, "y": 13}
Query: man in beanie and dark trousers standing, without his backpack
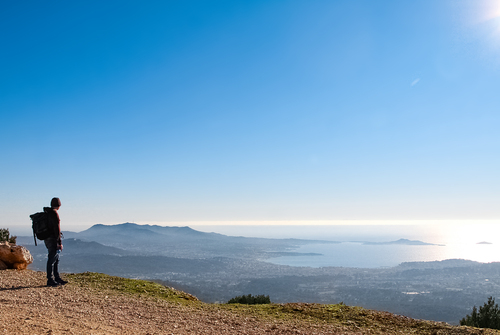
{"x": 53, "y": 244}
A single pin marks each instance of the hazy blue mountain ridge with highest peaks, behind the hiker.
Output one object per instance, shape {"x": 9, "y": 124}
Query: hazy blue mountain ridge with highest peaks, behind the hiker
{"x": 184, "y": 242}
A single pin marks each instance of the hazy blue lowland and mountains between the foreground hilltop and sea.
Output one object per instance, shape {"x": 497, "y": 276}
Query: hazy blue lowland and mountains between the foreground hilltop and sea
{"x": 216, "y": 268}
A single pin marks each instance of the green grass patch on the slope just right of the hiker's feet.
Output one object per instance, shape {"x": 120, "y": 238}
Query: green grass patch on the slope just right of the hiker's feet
{"x": 105, "y": 282}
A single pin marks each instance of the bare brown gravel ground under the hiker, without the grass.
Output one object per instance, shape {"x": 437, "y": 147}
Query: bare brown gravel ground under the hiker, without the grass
{"x": 29, "y": 307}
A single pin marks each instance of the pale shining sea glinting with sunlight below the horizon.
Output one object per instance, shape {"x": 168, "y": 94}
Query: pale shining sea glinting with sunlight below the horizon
{"x": 472, "y": 241}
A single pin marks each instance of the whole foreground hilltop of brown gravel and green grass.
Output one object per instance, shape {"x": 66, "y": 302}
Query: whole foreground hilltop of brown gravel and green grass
{"x": 95, "y": 303}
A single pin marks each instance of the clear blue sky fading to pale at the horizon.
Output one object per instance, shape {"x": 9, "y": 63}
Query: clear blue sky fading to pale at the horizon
{"x": 232, "y": 111}
